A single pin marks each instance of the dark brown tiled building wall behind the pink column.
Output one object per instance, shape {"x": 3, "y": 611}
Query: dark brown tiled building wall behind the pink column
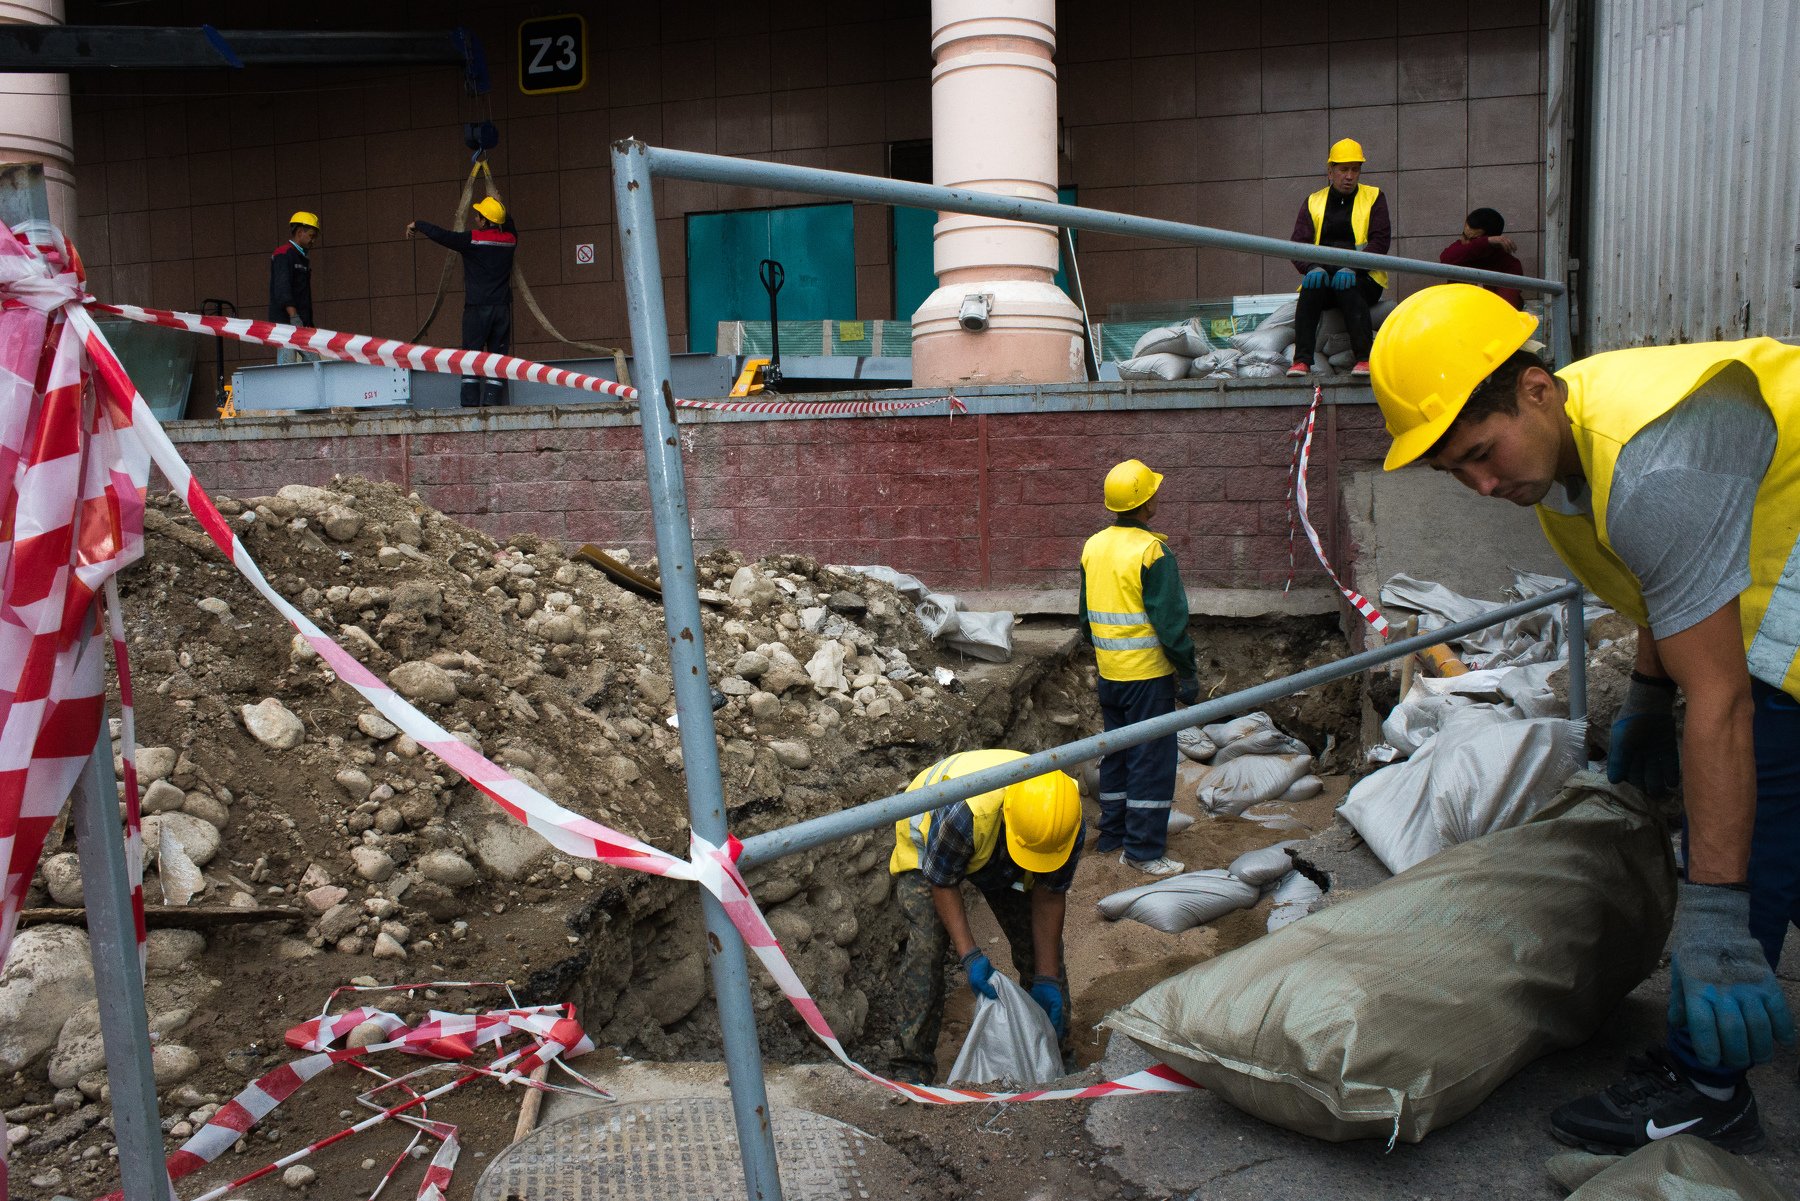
{"x": 1176, "y": 109}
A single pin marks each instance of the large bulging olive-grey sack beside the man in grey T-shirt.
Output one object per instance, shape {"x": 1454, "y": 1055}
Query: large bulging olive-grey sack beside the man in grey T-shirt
{"x": 1399, "y": 1011}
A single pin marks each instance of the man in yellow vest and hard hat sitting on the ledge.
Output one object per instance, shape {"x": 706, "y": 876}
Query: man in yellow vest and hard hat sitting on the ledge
{"x": 1349, "y": 215}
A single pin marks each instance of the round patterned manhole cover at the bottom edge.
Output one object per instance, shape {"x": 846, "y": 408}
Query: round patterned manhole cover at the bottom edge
{"x": 688, "y": 1150}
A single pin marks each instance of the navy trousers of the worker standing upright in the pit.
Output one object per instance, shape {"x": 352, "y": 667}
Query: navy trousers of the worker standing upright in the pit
{"x": 1137, "y": 784}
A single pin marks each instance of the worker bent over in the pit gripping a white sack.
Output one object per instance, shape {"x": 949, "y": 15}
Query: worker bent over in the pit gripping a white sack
{"x": 1018, "y": 847}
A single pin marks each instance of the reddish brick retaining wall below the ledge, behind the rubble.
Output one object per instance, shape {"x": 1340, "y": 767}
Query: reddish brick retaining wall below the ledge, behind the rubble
{"x": 987, "y": 500}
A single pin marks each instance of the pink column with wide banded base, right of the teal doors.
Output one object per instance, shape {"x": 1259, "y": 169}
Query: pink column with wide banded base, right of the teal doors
{"x": 994, "y": 129}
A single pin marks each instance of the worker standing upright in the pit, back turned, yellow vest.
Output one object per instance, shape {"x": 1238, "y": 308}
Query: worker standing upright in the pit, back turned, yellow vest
{"x": 1135, "y": 613}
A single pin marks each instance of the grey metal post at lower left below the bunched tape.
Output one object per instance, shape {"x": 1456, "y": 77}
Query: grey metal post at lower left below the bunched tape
{"x": 118, "y": 979}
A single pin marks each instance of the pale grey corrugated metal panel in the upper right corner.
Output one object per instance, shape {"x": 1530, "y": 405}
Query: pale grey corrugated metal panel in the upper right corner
{"x": 1695, "y": 150}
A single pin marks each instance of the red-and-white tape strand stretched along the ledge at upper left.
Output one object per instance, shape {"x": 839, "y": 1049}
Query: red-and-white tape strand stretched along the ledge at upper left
{"x": 397, "y": 354}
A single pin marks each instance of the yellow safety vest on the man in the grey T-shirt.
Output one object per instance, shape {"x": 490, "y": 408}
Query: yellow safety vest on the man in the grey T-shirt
{"x": 1614, "y": 397}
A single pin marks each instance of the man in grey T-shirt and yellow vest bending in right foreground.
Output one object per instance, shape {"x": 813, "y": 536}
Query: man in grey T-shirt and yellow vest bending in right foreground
{"x": 1668, "y": 478}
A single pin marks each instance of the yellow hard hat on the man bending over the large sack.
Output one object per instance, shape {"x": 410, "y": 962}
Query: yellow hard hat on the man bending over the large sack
{"x": 1430, "y": 356}
